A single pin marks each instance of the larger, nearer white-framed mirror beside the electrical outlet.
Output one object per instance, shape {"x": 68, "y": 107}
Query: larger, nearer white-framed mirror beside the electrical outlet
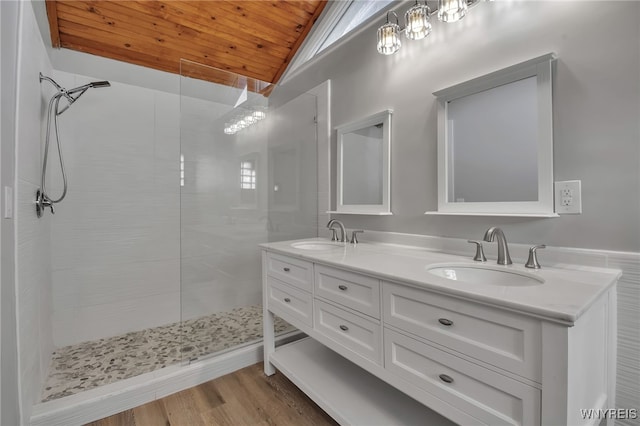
{"x": 495, "y": 143}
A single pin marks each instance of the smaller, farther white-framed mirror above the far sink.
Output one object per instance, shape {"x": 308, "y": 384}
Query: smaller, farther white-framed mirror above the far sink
{"x": 363, "y": 151}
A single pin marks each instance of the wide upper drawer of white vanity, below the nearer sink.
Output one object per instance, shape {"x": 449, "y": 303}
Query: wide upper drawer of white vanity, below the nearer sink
{"x": 503, "y": 339}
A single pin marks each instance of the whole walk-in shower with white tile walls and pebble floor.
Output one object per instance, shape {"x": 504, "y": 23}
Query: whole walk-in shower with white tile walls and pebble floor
{"x": 152, "y": 259}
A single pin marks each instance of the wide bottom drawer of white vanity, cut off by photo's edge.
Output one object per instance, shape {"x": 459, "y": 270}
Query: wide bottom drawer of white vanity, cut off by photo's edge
{"x": 488, "y": 396}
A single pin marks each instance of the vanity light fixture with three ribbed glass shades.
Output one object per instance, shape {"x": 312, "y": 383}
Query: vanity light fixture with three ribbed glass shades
{"x": 417, "y": 23}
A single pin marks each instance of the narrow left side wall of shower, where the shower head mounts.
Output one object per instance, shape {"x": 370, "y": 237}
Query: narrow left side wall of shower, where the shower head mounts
{"x": 33, "y": 264}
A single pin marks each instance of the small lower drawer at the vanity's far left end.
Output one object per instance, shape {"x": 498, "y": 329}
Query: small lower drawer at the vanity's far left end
{"x": 288, "y": 301}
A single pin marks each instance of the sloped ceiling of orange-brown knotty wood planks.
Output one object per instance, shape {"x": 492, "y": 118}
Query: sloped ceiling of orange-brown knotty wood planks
{"x": 252, "y": 38}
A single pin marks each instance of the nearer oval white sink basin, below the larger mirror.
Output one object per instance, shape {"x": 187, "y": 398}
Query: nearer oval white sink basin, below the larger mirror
{"x": 482, "y": 274}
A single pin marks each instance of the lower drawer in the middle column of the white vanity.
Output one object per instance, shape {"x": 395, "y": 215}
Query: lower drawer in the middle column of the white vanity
{"x": 355, "y": 333}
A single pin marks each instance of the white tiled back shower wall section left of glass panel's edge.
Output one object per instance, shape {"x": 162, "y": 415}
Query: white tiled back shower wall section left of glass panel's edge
{"x": 116, "y": 237}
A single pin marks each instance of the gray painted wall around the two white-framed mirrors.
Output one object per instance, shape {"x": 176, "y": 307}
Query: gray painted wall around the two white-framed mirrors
{"x": 596, "y": 110}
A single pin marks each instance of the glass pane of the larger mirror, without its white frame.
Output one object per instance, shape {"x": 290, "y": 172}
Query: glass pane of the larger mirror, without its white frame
{"x": 506, "y": 120}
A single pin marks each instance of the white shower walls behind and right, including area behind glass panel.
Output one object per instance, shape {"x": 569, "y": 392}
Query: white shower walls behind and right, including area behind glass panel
{"x": 127, "y": 230}
